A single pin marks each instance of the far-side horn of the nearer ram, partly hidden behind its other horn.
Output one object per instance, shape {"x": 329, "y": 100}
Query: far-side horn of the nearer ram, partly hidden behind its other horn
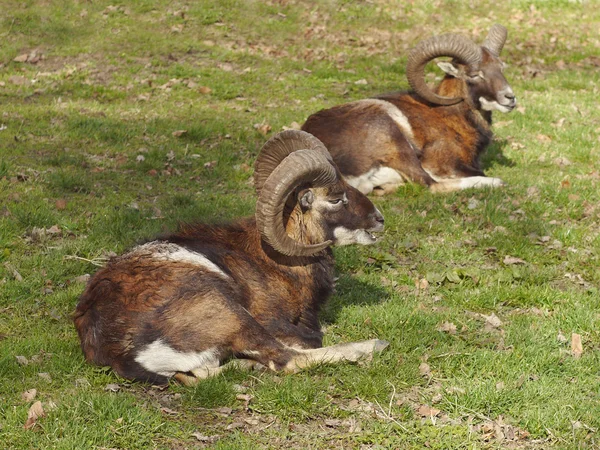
{"x": 280, "y": 146}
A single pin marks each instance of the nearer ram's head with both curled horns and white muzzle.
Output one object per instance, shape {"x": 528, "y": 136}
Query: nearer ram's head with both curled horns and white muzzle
{"x": 304, "y": 205}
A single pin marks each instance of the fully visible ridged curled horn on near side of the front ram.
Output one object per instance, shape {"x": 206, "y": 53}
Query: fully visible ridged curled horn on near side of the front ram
{"x": 302, "y": 166}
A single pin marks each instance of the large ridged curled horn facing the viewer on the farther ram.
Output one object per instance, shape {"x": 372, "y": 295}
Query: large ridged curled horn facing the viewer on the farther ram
{"x": 454, "y": 45}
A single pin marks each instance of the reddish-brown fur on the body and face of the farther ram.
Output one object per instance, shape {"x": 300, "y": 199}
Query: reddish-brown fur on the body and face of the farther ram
{"x": 446, "y": 141}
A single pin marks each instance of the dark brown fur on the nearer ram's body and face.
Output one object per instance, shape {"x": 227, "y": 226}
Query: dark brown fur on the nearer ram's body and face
{"x": 265, "y": 304}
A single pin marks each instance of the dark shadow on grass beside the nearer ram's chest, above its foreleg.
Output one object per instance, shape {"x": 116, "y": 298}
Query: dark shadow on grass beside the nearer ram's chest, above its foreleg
{"x": 351, "y": 291}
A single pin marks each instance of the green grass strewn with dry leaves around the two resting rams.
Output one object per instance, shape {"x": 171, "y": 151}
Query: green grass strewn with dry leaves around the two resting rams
{"x": 90, "y": 165}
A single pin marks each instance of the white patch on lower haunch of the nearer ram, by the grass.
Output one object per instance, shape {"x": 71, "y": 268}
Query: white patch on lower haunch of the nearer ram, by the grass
{"x": 164, "y": 360}
